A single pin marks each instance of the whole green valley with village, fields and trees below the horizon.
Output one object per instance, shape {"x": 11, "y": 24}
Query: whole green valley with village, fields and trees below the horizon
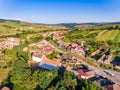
{"x": 55, "y": 53}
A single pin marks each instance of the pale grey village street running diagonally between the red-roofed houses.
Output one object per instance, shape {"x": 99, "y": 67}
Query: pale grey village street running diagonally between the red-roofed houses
{"x": 115, "y": 78}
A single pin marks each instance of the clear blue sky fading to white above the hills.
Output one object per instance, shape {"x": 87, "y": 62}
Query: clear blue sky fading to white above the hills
{"x": 61, "y": 11}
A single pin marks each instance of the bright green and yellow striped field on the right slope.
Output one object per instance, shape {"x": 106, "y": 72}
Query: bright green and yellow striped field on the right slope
{"x": 113, "y": 35}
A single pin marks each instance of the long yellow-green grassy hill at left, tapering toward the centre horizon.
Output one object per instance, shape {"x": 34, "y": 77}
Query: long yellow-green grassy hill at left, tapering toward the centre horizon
{"x": 16, "y": 26}
